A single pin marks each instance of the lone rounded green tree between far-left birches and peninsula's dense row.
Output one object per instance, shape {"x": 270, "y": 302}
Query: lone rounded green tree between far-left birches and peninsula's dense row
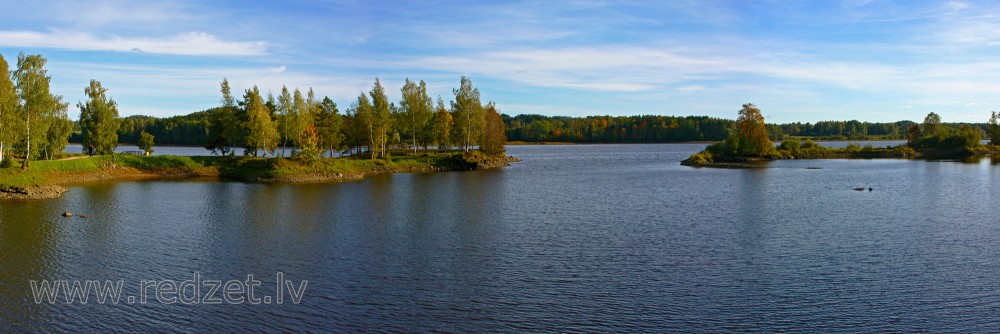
{"x": 99, "y": 119}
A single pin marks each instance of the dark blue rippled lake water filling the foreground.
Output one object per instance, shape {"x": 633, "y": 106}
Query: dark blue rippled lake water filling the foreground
{"x": 577, "y": 238}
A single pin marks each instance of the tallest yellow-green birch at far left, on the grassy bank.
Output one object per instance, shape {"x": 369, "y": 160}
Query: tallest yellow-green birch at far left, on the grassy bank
{"x": 37, "y": 104}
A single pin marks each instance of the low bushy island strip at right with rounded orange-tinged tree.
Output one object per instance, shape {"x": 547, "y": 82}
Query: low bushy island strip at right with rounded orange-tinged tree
{"x": 748, "y": 144}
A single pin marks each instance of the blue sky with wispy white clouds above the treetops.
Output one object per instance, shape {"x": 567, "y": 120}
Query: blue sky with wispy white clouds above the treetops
{"x": 798, "y": 61}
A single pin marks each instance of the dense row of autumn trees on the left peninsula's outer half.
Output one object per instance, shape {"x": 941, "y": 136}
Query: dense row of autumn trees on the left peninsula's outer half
{"x": 371, "y": 125}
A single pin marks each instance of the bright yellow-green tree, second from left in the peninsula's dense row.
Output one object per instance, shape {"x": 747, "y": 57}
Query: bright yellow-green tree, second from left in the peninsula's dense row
{"x": 262, "y": 132}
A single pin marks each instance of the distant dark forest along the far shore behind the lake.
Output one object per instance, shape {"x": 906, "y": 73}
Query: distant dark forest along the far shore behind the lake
{"x": 191, "y": 130}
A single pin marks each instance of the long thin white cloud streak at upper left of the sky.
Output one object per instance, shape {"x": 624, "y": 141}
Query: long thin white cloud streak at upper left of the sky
{"x": 188, "y": 44}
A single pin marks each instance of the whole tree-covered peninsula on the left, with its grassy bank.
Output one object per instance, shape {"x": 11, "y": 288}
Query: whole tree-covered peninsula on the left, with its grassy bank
{"x": 373, "y": 135}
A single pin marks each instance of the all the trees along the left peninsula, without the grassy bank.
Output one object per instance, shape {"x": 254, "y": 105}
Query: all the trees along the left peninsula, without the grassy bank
{"x": 34, "y": 122}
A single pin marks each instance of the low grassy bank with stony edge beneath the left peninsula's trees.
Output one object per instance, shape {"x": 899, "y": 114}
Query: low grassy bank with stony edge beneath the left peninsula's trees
{"x": 254, "y": 169}
